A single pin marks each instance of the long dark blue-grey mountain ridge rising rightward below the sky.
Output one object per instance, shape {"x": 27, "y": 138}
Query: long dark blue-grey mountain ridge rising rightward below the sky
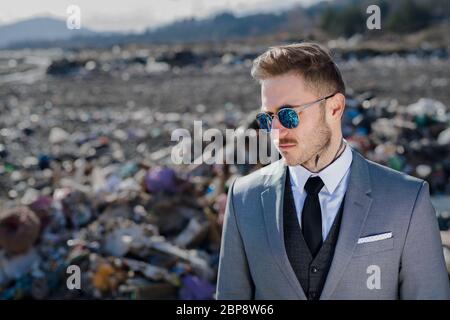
{"x": 220, "y": 27}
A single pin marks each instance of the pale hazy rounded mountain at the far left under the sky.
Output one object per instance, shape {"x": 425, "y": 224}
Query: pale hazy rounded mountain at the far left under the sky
{"x": 38, "y": 29}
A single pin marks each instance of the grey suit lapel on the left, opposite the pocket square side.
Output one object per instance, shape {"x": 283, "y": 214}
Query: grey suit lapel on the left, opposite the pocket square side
{"x": 272, "y": 202}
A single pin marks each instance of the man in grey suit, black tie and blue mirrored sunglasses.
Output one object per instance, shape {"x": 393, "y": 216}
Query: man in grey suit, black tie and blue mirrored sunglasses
{"x": 323, "y": 222}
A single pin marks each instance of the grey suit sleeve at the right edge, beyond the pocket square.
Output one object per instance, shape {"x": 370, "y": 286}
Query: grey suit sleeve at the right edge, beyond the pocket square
{"x": 423, "y": 274}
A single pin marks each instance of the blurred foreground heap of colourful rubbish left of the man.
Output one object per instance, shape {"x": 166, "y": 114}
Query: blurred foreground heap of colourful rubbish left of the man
{"x": 136, "y": 232}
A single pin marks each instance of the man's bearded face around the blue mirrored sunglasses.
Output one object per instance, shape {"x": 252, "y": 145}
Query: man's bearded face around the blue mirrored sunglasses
{"x": 312, "y": 135}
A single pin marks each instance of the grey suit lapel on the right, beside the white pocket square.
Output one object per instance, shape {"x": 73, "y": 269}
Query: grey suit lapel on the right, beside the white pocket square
{"x": 356, "y": 207}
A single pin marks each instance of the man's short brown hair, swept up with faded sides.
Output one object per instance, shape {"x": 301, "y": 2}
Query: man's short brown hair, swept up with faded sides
{"x": 309, "y": 60}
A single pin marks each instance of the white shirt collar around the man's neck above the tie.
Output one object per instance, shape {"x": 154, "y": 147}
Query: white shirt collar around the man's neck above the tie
{"x": 331, "y": 175}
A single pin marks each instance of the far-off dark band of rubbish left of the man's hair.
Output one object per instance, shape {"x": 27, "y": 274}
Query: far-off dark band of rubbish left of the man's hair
{"x": 150, "y": 61}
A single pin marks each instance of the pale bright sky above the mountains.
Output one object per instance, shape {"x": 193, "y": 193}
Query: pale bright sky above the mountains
{"x": 135, "y": 15}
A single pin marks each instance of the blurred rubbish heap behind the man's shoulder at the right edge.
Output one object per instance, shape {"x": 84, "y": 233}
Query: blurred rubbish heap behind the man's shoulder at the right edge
{"x": 414, "y": 139}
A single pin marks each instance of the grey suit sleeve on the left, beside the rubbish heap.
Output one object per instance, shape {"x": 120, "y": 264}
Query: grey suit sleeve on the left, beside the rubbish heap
{"x": 234, "y": 279}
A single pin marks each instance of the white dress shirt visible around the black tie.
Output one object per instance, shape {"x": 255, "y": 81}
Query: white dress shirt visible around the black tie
{"x": 335, "y": 178}
